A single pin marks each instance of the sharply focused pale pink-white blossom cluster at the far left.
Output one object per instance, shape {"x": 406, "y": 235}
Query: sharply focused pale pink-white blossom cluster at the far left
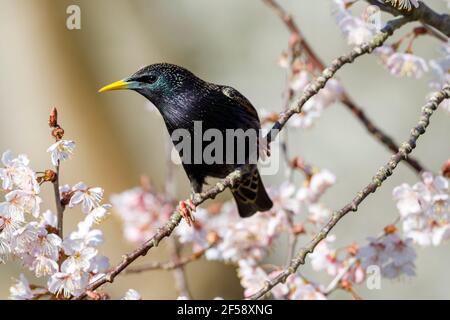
{"x": 31, "y": 235}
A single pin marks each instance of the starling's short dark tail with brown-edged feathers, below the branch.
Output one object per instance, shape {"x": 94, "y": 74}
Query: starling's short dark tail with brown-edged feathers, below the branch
{"x": 251, "y": 195}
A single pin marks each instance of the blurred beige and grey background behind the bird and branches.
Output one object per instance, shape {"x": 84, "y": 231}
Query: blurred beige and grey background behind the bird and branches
{"x": 45, "y": 65}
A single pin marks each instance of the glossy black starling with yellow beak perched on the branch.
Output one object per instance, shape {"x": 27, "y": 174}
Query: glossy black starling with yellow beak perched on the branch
{"x": 182, "y": 98}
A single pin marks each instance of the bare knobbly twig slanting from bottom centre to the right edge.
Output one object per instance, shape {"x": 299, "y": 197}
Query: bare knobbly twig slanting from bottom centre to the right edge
{"x": 382, "y": 174}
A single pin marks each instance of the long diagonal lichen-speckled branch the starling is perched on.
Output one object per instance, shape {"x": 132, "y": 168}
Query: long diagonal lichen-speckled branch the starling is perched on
{"x": 235, "y": 177}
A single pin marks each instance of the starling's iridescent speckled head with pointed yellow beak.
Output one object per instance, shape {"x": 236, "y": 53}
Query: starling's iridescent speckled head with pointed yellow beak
{"x": 157, "y": 82}
